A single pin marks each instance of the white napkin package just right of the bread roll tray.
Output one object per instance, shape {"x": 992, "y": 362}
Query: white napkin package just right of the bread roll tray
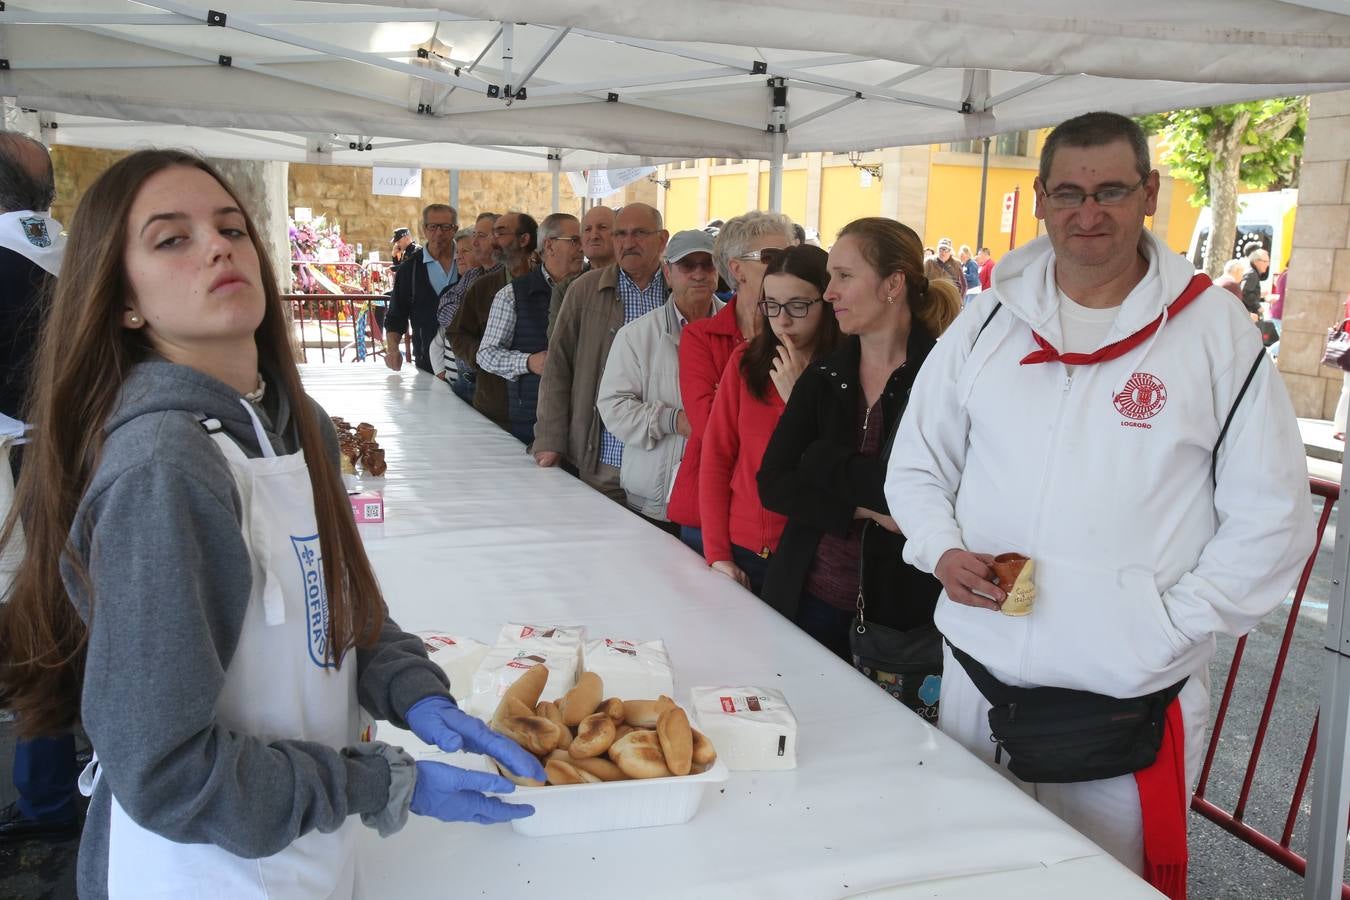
{"x": 753, "y": 728}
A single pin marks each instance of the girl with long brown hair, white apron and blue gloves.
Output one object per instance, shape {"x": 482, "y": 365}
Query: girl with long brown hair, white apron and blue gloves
{"x": 195, "y": 590}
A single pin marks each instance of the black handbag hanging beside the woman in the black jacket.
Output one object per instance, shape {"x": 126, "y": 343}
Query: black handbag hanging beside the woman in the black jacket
{"x": 905, "y": 665}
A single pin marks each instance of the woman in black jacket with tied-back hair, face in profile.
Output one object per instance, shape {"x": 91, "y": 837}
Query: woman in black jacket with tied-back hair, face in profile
{"x": 826, "y": 465}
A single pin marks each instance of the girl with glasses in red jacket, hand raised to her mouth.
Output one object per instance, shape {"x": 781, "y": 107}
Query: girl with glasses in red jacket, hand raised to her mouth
{"x": 739, "y": 534}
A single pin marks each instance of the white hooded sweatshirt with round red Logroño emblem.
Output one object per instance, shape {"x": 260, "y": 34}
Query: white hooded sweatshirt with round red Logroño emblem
{"x": 1102, "y": 477}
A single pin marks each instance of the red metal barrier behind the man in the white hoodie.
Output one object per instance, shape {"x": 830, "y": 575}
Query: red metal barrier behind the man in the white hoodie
{"x": 1278, "y": 849}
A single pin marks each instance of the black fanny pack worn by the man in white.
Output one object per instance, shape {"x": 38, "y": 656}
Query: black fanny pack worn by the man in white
{"x": 1058, "y": 736}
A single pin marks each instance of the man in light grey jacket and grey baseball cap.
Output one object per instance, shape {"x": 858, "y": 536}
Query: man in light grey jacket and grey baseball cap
{"x": 639, "y": 393}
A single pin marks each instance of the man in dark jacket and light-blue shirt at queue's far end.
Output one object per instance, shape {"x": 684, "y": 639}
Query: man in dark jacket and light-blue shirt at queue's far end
{"x": 419, "y": 283}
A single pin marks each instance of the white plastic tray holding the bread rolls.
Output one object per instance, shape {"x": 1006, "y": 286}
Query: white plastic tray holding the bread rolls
{"x": 642, "y": 804}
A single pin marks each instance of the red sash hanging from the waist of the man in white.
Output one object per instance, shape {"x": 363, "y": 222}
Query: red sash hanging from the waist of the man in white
{"x": 1163, "y": 806}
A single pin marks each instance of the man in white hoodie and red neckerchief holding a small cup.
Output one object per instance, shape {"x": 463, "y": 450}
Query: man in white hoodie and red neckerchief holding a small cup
{"x": 1077, "y": 415}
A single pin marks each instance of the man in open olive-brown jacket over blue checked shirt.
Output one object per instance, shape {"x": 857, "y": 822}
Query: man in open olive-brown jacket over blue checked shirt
{"x": 597, "y": 306}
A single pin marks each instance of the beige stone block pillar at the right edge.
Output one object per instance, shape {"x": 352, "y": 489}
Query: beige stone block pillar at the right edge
{"x": 1320, "y": 271}
